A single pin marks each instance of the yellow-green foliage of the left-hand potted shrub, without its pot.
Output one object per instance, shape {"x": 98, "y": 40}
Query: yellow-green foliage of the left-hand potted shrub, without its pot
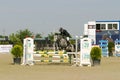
{"x": 17, "y": 51}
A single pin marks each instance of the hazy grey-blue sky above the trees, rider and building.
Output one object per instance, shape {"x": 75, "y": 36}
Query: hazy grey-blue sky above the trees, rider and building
{"x": 46, "y": 16}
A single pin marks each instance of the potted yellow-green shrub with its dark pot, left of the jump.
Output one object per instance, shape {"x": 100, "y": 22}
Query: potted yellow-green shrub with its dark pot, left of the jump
{"x": 17, "y": 52}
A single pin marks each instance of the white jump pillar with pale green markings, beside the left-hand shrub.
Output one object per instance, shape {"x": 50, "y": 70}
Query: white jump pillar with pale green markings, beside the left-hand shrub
{"x": 28, "y": 51}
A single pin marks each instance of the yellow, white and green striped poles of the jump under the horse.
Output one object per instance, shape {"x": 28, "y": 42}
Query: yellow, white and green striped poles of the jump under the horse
{"x": 51, "y": 57}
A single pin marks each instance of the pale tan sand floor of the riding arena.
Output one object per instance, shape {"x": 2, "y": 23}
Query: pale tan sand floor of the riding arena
{"x": 108, "y": 70}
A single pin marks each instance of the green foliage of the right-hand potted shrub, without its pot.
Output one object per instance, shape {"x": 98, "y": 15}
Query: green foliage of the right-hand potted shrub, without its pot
{"x": 95, "y": 53}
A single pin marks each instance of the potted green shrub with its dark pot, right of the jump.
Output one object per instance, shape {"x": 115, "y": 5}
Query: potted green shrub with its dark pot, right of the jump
{"x": 95, "y": 55}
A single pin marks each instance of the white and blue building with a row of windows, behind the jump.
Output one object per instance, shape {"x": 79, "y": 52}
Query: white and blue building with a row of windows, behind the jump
{"x": 97, "y": 30}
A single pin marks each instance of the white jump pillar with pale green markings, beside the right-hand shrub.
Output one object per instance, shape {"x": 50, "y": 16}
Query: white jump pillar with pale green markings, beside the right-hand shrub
{"x": 86, "y": 44}
